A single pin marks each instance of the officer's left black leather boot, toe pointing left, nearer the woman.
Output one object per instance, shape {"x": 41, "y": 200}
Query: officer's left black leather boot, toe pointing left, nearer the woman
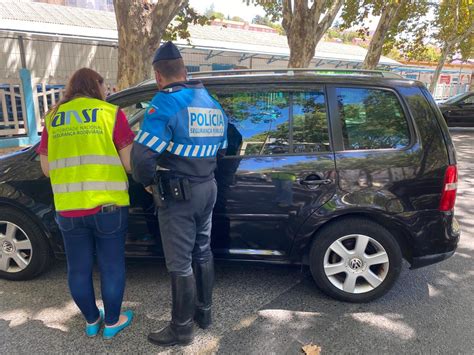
{"x": 180, "y": 330}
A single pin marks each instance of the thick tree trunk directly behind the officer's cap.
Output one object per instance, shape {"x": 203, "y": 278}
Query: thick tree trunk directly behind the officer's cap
{"x": 140, "y": 26}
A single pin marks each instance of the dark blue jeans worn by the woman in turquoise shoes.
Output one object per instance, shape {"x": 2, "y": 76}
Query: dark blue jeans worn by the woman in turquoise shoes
{"x": 105, "y": 234}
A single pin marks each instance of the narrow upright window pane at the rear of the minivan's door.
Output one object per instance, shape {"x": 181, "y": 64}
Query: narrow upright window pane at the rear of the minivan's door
{"x": 310, "y": 125}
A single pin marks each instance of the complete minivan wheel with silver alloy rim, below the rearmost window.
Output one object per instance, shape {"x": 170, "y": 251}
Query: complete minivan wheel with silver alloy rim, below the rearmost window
{"x": 355, "y": 260}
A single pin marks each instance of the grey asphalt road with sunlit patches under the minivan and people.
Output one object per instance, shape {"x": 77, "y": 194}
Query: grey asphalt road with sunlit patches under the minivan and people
{"x": 268, "y": 309}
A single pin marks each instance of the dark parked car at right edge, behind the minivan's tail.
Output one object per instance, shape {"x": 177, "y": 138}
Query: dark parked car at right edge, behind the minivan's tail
{"x": 458, "y": 111}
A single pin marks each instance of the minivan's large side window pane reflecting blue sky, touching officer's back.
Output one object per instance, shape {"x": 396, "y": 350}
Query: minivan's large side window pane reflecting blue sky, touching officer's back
{"x": 258, "y": 122}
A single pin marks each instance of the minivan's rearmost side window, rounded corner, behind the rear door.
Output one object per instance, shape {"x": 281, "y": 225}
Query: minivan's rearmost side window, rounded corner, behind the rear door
{"x": 371, "y": 119}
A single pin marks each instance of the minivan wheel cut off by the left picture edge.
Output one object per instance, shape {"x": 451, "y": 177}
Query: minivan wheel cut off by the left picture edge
{"x": 24, "y": 250}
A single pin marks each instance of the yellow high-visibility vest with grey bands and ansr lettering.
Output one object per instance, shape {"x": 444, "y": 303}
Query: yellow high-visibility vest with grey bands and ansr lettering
{"x": 84, "y": 165}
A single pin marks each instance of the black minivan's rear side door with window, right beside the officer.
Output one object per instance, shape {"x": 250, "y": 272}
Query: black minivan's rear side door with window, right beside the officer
{"x": 278, "y": 169}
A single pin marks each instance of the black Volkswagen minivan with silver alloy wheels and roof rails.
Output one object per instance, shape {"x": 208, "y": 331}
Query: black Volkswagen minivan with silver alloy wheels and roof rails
{"x": 347, "y": 172}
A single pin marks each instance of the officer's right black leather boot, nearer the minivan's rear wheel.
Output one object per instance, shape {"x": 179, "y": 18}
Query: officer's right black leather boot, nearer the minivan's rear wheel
{"x": 204, "y": 274}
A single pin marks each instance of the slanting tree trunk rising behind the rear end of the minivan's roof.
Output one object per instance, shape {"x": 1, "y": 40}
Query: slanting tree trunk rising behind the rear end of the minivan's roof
{"x": 374, "y": 52}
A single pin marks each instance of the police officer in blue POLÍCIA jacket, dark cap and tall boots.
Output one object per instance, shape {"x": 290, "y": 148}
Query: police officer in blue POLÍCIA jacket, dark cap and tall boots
{"x": 174, "y": 155}
